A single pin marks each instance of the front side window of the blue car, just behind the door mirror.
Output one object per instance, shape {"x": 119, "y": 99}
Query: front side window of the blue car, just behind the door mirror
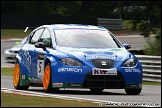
{"x": 46, "y": 38}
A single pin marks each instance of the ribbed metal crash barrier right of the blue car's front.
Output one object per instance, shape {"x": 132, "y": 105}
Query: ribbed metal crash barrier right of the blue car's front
{"x": 151, "y": 67}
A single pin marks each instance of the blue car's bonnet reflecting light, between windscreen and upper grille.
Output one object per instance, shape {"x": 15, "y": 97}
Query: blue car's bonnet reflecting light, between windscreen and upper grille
{"x": 117, "y": 54}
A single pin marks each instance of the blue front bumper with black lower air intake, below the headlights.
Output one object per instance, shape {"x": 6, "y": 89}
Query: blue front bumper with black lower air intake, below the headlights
{"x": 82, "y": 77}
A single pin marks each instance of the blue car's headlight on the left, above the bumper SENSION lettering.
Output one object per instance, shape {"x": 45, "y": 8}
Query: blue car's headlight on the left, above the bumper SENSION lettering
{"x": 70, "y": 62}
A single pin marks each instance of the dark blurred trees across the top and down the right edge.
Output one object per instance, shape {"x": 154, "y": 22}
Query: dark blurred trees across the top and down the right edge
{"x": 144, "y": 16}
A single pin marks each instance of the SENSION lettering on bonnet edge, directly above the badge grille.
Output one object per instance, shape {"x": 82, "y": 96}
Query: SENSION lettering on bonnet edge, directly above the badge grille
{"x": 102, "y": 57}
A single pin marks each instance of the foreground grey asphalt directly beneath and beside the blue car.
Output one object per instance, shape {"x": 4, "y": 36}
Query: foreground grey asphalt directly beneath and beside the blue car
{"x": 149, "y": 94}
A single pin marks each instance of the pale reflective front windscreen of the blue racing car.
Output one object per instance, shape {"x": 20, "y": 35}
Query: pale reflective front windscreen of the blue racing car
{"x": 83, "y": 38}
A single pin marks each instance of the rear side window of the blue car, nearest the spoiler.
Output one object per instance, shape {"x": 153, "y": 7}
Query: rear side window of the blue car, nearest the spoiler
{"x": 36, "y": 36}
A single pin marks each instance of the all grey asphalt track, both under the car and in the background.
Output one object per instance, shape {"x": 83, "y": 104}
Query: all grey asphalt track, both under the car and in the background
{"x": 149, "y": 94}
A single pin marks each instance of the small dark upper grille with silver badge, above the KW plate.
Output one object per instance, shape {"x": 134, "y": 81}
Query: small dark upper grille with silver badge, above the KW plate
{"x": 103, "y": 63}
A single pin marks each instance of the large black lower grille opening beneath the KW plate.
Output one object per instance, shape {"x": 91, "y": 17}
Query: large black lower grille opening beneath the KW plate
{"x": 103, "y": 81}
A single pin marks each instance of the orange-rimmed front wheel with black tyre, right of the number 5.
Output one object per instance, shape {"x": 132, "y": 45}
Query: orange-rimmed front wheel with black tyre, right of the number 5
{"x": 47, "y": 80}
